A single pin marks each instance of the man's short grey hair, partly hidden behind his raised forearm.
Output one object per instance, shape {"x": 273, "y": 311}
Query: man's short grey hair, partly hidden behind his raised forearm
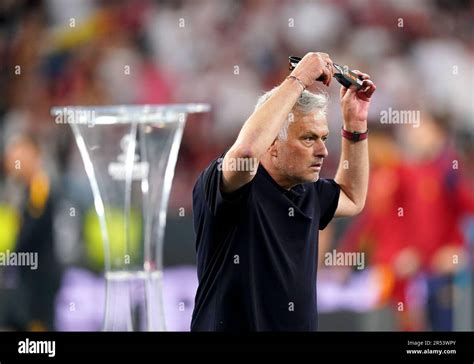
{"x": 308, "y": 102}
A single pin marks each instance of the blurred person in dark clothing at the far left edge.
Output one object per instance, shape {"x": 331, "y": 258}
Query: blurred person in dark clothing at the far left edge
{"x": 31, "y": 305}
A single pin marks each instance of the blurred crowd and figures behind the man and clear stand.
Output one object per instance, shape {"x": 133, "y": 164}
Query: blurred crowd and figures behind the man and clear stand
{"x": 417, "y": 229}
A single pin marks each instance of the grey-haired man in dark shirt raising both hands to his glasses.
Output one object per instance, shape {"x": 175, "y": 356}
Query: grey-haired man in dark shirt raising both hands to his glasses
{"x": 257, "y": 227}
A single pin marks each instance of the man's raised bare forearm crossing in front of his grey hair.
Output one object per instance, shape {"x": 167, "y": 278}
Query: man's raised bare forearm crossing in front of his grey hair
{"x": 263, "y": 126}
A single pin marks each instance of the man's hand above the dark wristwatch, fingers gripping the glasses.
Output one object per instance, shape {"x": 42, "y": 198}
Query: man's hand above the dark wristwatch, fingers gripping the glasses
{"x": 355, "y": 104}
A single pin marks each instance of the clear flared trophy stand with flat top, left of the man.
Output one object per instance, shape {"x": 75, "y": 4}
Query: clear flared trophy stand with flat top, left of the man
{"x": 129, "y": 155}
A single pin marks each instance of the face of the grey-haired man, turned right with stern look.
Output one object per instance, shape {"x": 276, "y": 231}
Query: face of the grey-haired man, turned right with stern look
{"x": 299, "y": 158}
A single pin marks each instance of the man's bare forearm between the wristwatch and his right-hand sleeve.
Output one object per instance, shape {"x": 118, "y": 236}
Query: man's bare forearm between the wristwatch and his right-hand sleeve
{"x": 353, "y": 172}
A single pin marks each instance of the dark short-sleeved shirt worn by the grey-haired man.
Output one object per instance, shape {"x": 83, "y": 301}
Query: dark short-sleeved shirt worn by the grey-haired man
{"x": 257, "y": 252}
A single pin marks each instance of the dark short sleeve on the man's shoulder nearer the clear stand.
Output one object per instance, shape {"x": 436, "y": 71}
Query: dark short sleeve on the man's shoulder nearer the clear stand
{"x": 211, "y": 180}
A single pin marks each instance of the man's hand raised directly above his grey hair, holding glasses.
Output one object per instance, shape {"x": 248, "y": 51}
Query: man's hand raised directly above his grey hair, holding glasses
{"x": 314, "y": 66}
